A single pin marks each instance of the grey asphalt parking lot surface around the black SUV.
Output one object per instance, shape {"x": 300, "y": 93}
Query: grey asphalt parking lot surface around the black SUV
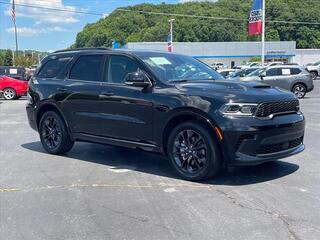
{"x": 101, "y": 192}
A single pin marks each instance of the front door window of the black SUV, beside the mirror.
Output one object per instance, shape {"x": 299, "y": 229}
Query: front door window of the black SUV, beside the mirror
{"x": 119, "y": 67}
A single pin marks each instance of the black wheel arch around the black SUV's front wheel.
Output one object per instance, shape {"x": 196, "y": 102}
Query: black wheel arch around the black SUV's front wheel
{"x": 189, "y": 114}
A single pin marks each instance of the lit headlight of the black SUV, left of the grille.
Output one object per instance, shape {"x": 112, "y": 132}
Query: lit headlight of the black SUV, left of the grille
{"x": 239, "y": 109}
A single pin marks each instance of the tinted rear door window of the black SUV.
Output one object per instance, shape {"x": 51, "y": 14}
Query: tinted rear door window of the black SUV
{"x": 87, "y": 68}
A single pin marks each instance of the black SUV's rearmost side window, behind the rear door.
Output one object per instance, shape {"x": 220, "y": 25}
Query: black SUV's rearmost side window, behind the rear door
{"x": 52, "y": 68}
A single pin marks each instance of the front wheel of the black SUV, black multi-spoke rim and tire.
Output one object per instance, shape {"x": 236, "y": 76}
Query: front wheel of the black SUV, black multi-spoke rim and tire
{"x": 193, "y": 152}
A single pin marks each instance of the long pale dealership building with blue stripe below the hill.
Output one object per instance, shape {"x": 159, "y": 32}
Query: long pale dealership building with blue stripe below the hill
{"x": 234, "y": 53}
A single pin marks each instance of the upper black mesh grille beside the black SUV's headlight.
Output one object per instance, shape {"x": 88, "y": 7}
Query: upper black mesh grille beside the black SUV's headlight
{"x": 266, "y": 109}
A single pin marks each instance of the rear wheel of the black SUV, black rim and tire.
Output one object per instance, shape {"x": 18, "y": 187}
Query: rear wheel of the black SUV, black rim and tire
{"x": 54, "y": 134}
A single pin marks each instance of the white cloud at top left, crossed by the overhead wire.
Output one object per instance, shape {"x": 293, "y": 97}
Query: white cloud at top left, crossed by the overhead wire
{"x": 42, "y": 15}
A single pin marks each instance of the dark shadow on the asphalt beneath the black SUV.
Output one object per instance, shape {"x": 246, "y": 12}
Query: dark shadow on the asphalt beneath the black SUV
{"x": 136, "y": 160}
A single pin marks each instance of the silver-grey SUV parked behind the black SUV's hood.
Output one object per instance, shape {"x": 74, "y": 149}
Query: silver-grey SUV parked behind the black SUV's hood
{"x": 293, "y": 78}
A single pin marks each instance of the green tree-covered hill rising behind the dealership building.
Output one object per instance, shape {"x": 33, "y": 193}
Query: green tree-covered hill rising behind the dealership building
{"x": 130, "y": 26}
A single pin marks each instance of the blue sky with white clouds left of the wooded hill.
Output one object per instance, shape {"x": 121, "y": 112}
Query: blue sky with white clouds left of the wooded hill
{"x": 48, "y": 30}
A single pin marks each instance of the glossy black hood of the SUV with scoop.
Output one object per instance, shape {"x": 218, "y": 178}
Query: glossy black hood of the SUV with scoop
{"x": 236, "y": 91}
